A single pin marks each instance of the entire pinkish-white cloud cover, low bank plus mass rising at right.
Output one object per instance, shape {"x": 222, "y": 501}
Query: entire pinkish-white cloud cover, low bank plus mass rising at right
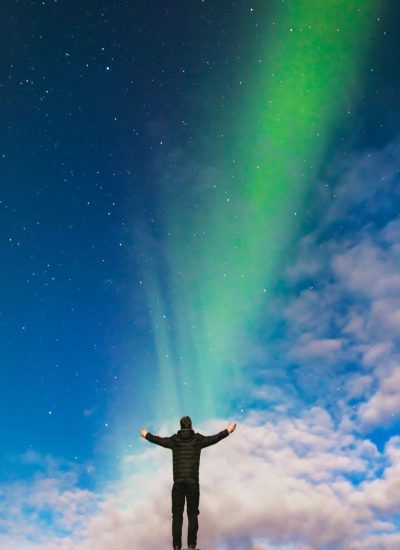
{"x": 319, "y": 431}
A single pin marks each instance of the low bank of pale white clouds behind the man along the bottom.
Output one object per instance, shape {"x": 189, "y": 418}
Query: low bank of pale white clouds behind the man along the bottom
{"x": 286, "y": 484}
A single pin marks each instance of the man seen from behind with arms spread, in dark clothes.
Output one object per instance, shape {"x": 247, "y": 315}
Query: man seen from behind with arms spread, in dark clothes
{"x": 186, "y": 447}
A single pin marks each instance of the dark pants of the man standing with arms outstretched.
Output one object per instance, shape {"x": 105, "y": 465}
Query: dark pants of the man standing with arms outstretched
{"x": 191, "y": 490}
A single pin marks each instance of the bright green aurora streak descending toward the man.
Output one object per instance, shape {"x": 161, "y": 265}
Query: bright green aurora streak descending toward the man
{"x": 224, "y": 245}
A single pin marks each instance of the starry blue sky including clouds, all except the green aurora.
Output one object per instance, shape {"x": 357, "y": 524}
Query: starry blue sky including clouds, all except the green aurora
{"x": 314, "y": 462}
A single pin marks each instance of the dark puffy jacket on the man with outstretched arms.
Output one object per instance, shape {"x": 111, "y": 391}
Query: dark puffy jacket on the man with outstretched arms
{"x": 186, "y": 447}
